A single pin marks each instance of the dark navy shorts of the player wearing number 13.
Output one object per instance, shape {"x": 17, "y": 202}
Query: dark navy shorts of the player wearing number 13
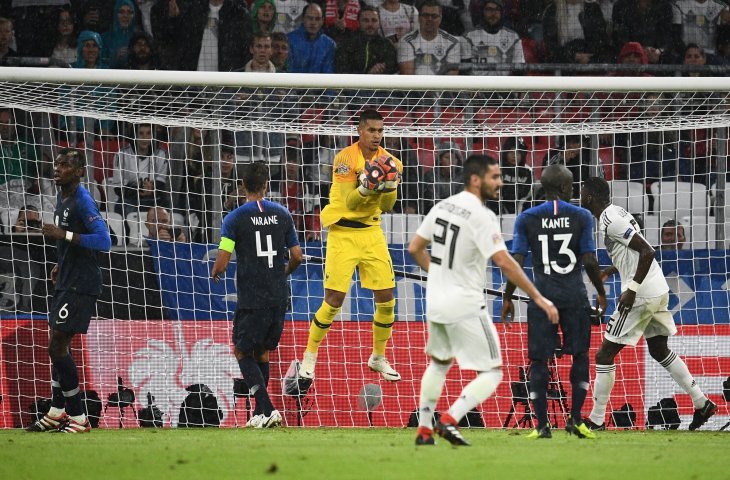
{"x": 542, "y": 336}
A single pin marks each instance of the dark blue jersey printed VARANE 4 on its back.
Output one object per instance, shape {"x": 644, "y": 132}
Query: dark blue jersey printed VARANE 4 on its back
{"x": 263, "y": 233}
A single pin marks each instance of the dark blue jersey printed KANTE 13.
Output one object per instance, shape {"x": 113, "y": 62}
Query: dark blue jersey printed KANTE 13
{"x": 558, "y": 233}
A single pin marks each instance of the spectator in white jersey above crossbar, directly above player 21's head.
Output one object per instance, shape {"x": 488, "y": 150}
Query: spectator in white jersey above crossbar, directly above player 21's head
{"x": 492, "y": 42}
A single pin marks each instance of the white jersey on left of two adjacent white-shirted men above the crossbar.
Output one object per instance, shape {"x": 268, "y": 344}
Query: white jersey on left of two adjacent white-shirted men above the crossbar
{"x": 431, "y": 57}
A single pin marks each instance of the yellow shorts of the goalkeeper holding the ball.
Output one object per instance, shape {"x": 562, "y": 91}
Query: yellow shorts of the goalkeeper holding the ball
{"x": 365, "y": 249}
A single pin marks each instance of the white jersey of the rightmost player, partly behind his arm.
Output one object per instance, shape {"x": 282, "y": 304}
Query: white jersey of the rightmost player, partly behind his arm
{"x": 618, "y": 228}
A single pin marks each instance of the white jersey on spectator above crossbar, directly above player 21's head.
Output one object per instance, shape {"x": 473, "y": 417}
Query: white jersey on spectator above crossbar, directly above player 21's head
{"x": 484, "y": 48}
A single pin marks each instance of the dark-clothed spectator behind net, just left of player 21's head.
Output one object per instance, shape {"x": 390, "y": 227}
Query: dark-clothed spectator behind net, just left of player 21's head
{"x": 444, "y": 179}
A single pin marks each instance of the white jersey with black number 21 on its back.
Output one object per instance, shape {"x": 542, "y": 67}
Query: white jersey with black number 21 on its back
{"x": 464, "y": 234}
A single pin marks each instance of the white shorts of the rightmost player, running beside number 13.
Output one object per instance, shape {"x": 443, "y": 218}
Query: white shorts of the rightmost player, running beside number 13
{"x": 649, "y": 317}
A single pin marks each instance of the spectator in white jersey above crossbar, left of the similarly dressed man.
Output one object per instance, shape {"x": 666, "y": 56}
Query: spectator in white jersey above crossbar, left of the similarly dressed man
{"x": 429, "y": 50}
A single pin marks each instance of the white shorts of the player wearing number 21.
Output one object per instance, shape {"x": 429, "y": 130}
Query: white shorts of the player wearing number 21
{"x": 472, "y": 341}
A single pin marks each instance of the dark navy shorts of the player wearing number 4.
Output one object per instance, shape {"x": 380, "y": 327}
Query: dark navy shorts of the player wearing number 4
{"x": 258, "y": 329}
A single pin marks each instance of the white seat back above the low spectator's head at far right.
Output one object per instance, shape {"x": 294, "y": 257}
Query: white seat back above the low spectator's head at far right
{"x": 679, "y": 199}
